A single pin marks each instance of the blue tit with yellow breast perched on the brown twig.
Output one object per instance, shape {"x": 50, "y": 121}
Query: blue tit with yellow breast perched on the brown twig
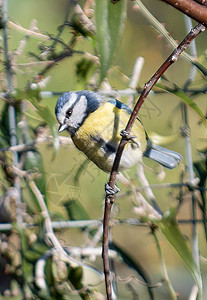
{"x": 95, "y": 122}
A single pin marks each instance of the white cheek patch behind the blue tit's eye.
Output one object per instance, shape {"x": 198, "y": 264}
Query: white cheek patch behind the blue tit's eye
{"x": 79, "y": 112}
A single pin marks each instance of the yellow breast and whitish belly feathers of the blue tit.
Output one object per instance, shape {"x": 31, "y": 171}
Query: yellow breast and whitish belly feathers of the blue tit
{"x": 99, "y": 137}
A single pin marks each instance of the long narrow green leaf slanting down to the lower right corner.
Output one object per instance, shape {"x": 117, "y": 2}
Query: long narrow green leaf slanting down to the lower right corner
{"x": 170, "y": 229}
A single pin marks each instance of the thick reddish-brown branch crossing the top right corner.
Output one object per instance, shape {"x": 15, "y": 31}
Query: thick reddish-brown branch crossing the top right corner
{"x": 191, "y": 8}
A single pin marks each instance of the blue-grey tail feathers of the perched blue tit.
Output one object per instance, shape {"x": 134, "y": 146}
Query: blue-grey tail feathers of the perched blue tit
{"x": 163, "y": 156}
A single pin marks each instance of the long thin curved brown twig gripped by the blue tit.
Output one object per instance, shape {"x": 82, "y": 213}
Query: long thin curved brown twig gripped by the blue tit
{"x": 109, "y": 199}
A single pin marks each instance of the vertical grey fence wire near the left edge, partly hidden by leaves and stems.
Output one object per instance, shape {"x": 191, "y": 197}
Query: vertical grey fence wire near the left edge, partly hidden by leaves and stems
{"x": 11, "y": 111}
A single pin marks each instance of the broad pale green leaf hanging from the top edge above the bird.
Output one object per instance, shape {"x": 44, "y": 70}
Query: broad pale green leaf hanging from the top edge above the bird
{"x": 110, "y": 21}
